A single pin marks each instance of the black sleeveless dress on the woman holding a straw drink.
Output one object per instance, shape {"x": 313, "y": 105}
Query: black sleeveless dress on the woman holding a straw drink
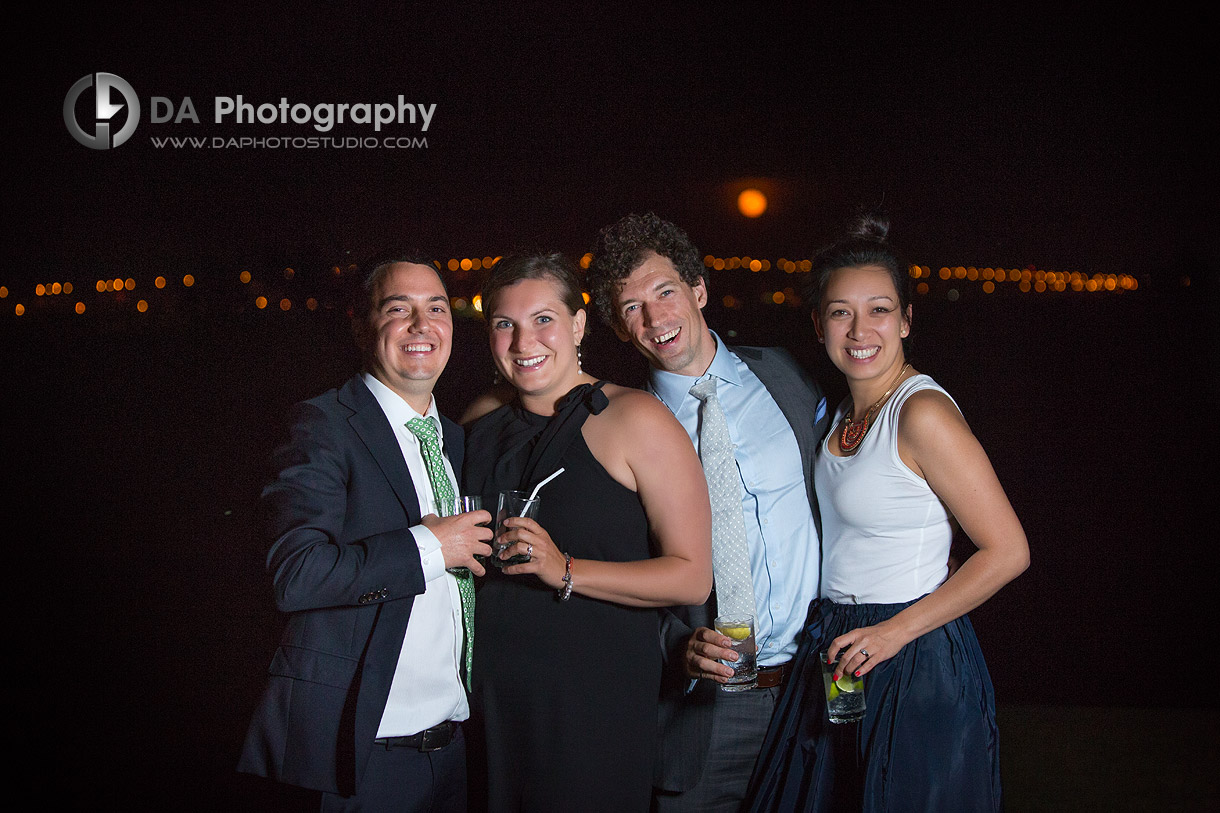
{"x": 565, "y": 692}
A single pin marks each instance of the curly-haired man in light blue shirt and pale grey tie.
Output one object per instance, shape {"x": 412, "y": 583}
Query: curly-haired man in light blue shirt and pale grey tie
{"x": 647, "y": 284}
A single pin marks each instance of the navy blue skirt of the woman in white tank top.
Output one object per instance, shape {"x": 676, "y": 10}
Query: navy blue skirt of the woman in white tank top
{"x": 928, "y": 742}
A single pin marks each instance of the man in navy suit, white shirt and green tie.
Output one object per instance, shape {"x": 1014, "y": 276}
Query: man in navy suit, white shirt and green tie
{"x": 367, "y": 692}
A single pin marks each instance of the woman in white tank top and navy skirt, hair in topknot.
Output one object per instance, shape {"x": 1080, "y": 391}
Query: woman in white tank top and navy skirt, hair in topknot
{"x": 897, "y": 473}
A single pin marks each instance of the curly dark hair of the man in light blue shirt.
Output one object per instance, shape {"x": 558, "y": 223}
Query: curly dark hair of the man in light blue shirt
{"x": 620, "y": 250}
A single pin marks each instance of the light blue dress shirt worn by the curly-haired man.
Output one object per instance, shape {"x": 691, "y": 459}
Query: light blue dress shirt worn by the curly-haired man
{"x": 780, "y": 528}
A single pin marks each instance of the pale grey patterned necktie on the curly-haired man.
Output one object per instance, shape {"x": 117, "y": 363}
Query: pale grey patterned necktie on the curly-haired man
{"x": 730, "y": 555}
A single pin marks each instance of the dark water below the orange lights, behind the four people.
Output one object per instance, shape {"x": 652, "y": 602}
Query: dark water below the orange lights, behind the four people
{"x": 134, "y": 455}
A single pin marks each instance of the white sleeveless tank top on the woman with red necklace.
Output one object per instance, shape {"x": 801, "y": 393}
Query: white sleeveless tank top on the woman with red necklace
{"x": 885, "y": 535}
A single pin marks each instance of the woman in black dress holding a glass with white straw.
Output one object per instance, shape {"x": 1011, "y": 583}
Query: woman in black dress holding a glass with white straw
{"x": 567, "y": 651}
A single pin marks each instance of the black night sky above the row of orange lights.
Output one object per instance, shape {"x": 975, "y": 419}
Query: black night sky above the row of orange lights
{"x": 1063, "y": 140}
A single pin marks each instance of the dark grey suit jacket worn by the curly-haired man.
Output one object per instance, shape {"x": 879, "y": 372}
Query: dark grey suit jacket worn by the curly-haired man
{"x": 685, "y": 717}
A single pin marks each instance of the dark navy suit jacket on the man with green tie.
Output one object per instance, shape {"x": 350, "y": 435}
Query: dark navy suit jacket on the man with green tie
{"x": 347, "y": 569}
